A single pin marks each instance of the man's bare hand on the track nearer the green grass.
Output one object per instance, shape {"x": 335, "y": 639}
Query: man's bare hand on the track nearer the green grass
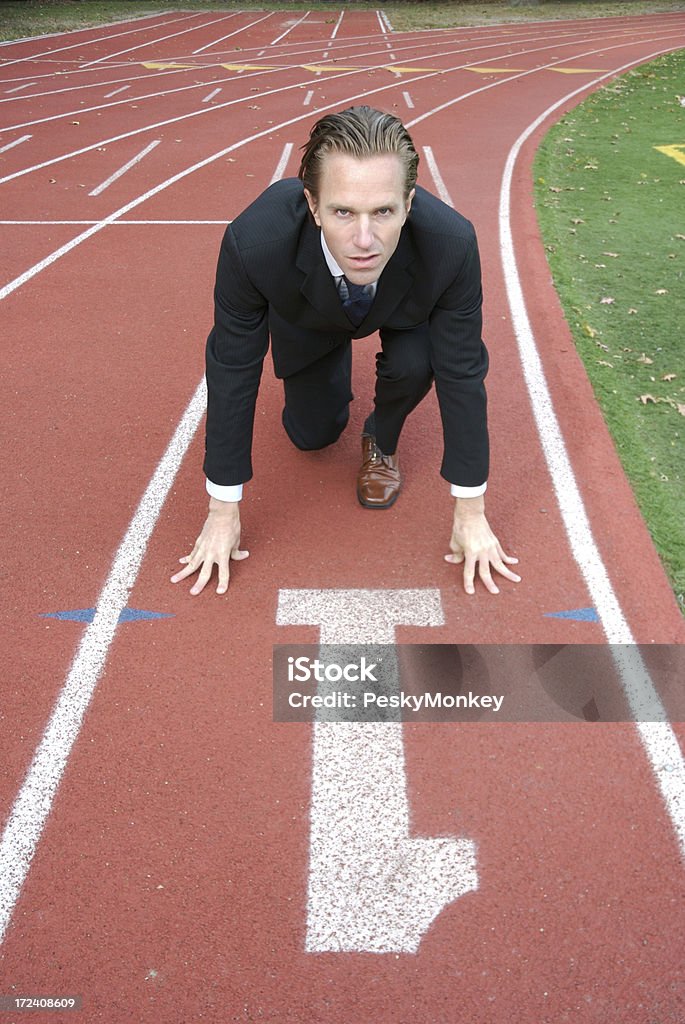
{"x": 475, "y": 544}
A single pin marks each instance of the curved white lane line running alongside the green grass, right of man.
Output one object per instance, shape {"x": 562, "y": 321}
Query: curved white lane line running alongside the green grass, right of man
{"x": 659, "y": 740}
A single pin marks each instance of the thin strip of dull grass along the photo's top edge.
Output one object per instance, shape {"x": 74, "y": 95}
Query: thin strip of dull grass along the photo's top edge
{"x": 27, "y": 18}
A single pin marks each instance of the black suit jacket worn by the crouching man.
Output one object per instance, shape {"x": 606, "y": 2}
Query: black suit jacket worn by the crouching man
{"x": 273, "y": 280}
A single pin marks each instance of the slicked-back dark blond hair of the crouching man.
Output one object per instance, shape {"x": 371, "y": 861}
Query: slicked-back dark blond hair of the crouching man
{"x": 361, "y": 133}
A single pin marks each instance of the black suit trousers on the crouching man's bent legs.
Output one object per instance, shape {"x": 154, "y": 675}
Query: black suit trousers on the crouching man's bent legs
{"x": 318, "y": 398}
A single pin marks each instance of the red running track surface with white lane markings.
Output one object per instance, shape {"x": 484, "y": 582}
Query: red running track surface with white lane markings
{"x": 170, "y": 854}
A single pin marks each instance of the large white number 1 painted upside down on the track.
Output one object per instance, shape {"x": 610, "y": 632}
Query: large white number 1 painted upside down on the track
{"x": 373, "y": 888}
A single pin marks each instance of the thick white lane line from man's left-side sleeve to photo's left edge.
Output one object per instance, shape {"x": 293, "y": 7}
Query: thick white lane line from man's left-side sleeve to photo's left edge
{"x": 34, "y": 801}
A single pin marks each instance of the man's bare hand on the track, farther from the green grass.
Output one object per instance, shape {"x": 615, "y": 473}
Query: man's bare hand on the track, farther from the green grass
{"x": 218, "y": 544}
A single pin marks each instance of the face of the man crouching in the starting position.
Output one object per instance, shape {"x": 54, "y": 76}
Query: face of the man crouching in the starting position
{"x": 361, "y": 209}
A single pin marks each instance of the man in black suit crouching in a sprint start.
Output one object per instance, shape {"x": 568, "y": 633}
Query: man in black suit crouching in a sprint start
{"x": 352, "y": 248}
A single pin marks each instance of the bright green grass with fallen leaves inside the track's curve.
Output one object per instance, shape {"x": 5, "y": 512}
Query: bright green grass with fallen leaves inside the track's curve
{"x": 612, "y": 209}
